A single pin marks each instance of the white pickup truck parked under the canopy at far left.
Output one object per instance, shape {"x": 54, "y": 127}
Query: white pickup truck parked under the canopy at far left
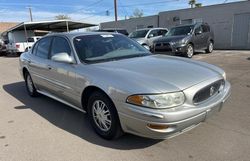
{"x": 20, "y": 47}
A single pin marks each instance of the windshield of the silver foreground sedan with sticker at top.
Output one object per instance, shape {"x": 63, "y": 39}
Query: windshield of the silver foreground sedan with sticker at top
{"x": 107, "y": 47}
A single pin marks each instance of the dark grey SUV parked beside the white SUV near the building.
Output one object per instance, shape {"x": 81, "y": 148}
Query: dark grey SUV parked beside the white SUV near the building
{"x": 185, "y": 40}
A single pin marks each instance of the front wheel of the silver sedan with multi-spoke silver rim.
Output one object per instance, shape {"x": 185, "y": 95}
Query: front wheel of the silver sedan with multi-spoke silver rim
{"x": 103, "y": 116}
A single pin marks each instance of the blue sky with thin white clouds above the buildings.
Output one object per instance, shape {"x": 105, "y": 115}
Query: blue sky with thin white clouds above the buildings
{"x": 91, "y": 11}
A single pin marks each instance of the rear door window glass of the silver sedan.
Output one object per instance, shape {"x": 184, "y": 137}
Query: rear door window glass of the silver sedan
{"x": 43, "y": 48}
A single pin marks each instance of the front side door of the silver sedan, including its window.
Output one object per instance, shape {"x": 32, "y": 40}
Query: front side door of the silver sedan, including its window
{"x": 63, "y": 74}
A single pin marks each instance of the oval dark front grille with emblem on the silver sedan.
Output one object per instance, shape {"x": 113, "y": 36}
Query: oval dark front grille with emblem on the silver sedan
{"x": 208, "y": 91}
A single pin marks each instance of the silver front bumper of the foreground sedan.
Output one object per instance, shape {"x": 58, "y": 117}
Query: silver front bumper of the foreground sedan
{"x": 136, "y": 119}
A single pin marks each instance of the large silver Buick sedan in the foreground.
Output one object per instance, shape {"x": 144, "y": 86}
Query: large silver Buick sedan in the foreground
{"x": 122, "y": 86}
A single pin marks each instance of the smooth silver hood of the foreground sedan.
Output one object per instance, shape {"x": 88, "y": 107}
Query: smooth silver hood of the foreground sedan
{"x": 159, "y": 72}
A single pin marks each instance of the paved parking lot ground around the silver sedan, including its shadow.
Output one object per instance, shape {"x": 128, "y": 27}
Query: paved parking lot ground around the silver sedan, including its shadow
{"x": 43, "y": 129}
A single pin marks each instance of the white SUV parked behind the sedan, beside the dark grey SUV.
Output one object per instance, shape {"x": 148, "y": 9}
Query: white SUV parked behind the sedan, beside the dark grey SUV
{"x": 146, "y": 36}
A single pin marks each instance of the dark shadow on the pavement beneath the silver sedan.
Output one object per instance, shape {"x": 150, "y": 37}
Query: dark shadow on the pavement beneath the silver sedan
{"x": 71, "y": 120}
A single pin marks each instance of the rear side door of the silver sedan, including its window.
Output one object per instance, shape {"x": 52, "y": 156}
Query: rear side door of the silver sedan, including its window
{"x": 38, "y": 64}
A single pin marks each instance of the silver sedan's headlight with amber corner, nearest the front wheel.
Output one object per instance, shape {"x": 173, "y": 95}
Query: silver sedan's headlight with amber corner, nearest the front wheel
{"x": 159, "y": 101}
